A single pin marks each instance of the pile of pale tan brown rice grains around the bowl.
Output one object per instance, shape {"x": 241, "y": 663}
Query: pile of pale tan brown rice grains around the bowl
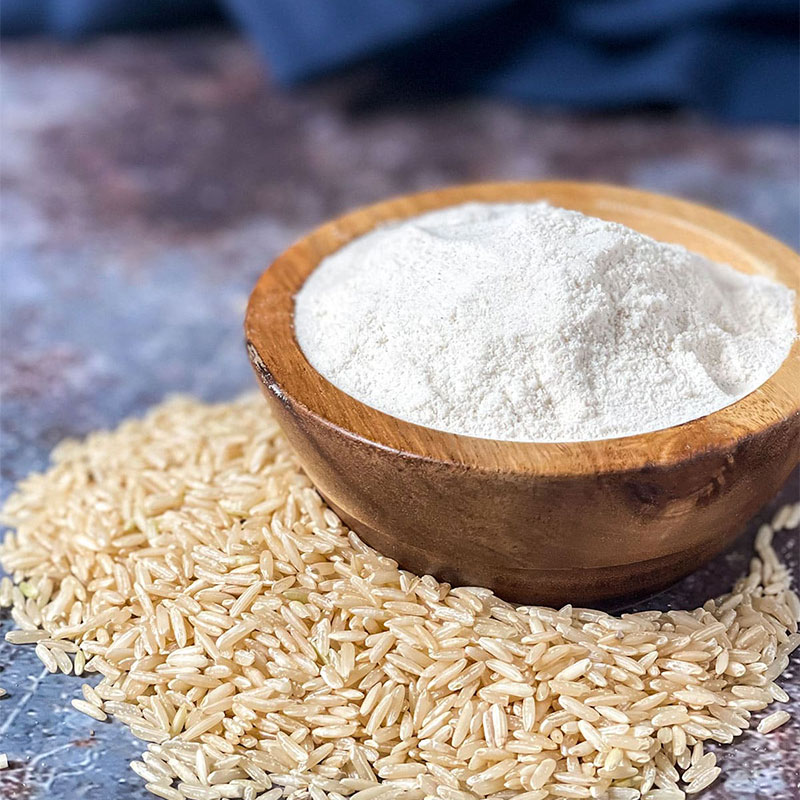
{"x": 263, "y": 651}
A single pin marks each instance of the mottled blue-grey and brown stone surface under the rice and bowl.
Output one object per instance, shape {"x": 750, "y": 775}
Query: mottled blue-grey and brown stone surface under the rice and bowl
{"x": 148, "y": 181}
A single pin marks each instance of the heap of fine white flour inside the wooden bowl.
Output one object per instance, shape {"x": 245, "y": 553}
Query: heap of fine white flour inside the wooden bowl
{"x": 534, "y": 323}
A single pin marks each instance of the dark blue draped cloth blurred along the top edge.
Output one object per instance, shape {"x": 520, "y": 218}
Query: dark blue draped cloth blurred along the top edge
{"x": 737, "y": 59}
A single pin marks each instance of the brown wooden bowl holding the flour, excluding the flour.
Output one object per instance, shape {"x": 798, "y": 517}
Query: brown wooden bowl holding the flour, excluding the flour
{"x": 588, "y": 522}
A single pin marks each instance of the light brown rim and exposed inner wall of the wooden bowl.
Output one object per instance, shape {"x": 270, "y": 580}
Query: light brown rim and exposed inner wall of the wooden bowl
{"x": 285, "y": 372}
